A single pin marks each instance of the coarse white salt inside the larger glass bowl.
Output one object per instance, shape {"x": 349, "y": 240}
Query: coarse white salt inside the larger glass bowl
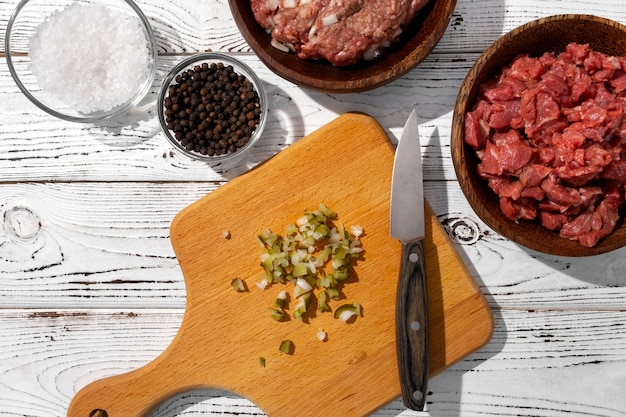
{"x": 90, "y": 57}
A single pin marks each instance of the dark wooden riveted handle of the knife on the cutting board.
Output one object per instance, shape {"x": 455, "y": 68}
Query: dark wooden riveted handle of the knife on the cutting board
{"x": 412, "y": 325}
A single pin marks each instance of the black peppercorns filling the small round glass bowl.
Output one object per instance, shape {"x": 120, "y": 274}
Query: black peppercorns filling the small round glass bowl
{"x": 212, "y": 109}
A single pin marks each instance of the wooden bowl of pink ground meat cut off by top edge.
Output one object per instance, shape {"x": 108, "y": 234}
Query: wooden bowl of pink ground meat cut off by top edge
{"x": 305, "y": 59}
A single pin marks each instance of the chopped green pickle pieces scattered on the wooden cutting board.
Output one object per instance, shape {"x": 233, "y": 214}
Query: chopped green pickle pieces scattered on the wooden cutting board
{"x": 315, "y": 255}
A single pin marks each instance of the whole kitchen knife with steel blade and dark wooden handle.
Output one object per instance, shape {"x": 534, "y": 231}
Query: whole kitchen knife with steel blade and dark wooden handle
{"x": 407, "y": 224}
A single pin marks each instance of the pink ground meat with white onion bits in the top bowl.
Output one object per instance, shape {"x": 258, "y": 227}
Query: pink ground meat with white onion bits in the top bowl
{"x": 340, "y": 31}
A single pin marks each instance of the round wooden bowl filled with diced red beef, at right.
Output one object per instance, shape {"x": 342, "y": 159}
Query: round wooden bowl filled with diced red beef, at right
{"x": 537, "y": 135}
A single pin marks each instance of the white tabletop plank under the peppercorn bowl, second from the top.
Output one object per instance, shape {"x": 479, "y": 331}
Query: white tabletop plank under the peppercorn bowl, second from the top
{"x": 36, "y": 147}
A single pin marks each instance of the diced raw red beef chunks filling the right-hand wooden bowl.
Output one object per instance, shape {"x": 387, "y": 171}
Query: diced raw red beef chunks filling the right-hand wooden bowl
{"x": 550, "y": 133}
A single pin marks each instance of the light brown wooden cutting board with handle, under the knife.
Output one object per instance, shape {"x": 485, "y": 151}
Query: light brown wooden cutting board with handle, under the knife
{"x": 346, "y": 165}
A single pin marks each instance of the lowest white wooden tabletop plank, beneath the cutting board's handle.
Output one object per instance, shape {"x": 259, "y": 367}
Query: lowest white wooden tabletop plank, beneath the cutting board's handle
{"x": 561, "y": 363}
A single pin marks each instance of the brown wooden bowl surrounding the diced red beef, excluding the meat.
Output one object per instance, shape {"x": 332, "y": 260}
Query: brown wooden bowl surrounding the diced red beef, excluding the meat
{"x": 528, "y": 234}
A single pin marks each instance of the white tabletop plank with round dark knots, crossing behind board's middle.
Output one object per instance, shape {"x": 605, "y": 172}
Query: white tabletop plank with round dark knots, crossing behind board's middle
{"x": 103, "y": 245}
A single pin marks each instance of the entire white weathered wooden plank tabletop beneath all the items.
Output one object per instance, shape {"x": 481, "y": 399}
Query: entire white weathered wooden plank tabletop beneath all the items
{"x": 90, "y": 287}
